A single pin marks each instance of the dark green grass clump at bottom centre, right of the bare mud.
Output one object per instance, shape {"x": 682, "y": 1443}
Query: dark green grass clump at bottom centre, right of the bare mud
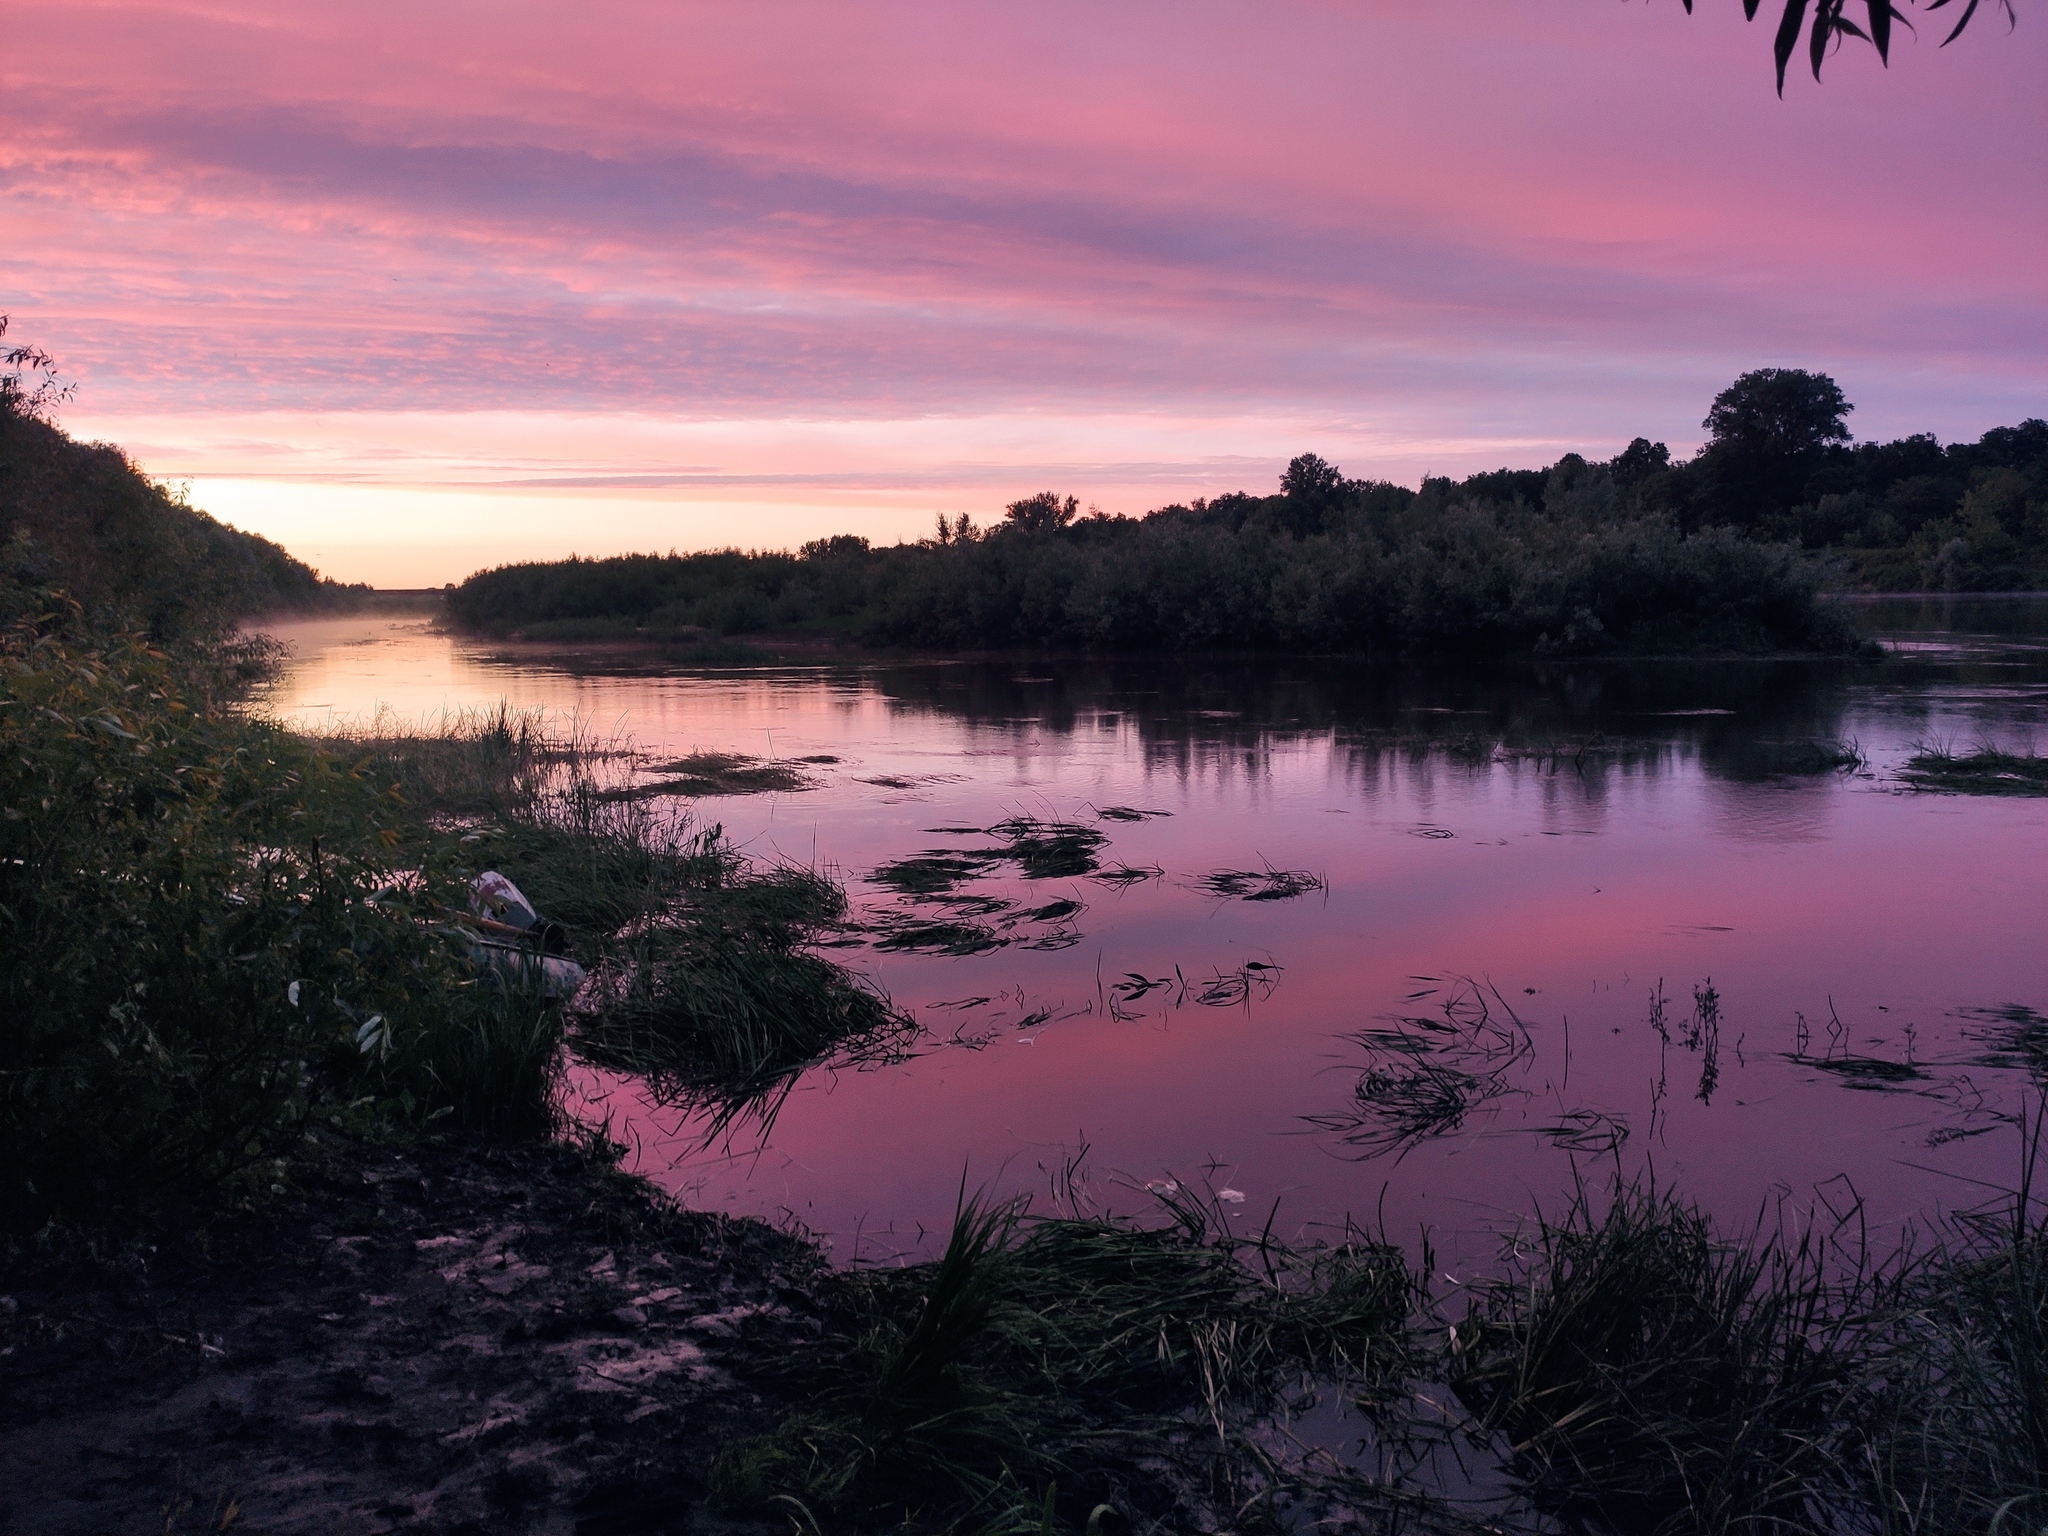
{"x": 1111, "y": 1361}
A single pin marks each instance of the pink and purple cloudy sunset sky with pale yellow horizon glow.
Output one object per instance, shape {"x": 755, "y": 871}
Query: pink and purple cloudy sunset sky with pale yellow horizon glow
{"x": 427, "y": 288}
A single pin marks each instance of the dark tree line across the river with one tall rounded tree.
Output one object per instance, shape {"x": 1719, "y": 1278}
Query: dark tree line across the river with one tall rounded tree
{"x": 1639, "y": 554}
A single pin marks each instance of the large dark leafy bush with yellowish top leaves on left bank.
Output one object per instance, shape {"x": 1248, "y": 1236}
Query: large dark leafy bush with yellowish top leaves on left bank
{"x": 212, "y": 929}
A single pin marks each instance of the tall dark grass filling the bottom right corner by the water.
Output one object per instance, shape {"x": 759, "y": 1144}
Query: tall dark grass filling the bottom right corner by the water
{"x": 1648, "y": 1375}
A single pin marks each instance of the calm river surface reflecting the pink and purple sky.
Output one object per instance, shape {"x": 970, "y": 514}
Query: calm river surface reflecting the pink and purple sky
{"x": 1488, "y": 951}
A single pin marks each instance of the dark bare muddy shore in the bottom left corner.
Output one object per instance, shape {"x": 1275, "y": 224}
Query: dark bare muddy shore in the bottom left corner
{"x": 431, "y": 1336}
